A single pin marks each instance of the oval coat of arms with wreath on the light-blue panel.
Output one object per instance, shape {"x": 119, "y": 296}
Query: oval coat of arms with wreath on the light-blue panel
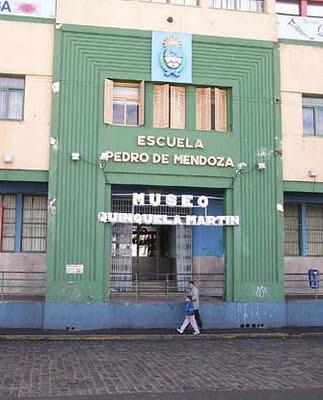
{"x": 172, "y": 57}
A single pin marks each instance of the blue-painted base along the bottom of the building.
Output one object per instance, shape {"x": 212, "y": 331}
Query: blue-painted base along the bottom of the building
{"x": 78, "y": 317}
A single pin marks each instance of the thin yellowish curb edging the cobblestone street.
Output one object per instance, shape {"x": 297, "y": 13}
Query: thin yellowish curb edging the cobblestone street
{"x": 150, "y": 337}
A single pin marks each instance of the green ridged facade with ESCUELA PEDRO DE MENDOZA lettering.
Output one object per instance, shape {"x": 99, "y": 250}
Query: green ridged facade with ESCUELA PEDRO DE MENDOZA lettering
{"x": 243, "y": 161}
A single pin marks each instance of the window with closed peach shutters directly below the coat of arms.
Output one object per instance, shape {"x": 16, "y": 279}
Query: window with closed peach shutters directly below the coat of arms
{"x": 169, "y": 106}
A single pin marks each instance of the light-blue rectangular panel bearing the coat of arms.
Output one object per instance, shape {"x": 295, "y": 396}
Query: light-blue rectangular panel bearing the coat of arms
{"x": 171, "y": 57}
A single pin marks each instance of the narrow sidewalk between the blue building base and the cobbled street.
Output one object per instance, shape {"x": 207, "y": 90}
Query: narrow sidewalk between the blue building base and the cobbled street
{"x": 157, "y": 334}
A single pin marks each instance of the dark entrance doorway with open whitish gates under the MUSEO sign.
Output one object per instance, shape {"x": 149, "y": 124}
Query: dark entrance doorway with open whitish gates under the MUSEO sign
{"x": 149, "y": 252}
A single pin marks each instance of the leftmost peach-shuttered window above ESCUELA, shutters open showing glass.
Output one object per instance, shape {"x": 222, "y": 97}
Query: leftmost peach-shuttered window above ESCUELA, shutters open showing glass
{"x": 124, "y": 103}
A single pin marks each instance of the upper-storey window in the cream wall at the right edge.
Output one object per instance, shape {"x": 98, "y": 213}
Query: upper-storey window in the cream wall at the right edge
{"x": 313, "y": 116}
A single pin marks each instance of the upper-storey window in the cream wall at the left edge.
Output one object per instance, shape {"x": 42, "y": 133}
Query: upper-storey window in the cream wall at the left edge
{"x": 11, "y": 98}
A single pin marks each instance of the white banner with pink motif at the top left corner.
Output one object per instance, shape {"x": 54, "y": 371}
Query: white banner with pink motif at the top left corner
{"x": 28, "y": 8}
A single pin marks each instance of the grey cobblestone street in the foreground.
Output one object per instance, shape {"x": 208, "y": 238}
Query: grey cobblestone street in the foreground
{"x": 165, "y": 370}
